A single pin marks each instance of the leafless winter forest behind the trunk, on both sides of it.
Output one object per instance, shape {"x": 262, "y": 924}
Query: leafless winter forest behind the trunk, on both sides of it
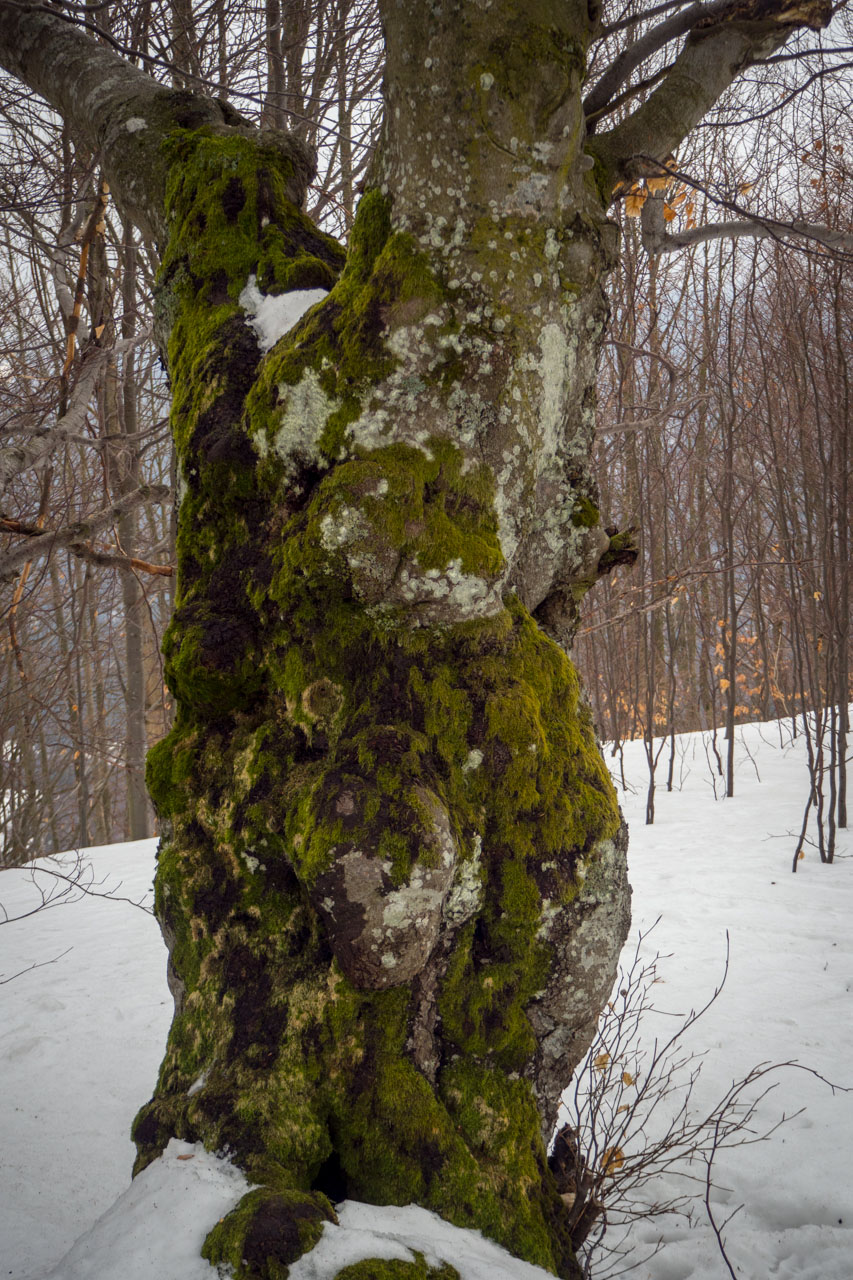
{"x": 724, "y": 422}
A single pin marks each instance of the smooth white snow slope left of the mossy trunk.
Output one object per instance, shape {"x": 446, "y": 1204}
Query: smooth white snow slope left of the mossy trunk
{"x": 81, "y": 1041}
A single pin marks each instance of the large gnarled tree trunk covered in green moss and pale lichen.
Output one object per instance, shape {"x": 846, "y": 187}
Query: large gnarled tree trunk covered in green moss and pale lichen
{"x": 393, "y": 871}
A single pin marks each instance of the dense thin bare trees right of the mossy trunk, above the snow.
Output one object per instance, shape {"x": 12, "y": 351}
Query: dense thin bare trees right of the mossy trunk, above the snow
{"x": 726, "y": 437}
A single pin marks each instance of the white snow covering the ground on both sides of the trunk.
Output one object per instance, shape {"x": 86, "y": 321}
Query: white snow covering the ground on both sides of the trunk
{"x": 81, "y": 1039}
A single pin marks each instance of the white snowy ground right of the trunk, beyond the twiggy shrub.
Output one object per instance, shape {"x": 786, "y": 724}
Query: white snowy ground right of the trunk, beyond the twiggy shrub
{"x": 714, "y": 866}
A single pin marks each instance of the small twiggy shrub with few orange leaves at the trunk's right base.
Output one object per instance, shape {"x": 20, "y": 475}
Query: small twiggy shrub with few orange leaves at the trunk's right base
{"x": 631, "y": 1116}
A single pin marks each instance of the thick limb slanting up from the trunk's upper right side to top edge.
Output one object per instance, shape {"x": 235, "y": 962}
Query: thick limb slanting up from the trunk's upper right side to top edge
{"x": 720, "y": 47}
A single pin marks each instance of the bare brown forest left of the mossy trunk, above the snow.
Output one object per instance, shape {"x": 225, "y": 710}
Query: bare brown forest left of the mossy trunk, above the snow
{"x": 86, "y": 461}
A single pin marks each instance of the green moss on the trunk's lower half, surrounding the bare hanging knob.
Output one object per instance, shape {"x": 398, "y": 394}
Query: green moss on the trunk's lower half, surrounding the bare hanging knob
{"x": 335, "y": 1071}
